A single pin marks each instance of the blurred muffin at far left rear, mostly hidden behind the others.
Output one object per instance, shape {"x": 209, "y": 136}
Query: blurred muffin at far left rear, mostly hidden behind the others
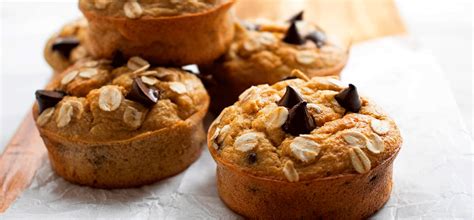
{"x": 65, "y": 48}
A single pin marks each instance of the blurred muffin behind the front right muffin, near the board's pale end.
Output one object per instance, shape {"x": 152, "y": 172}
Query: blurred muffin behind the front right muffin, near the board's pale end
{"x": 266, "y": 52}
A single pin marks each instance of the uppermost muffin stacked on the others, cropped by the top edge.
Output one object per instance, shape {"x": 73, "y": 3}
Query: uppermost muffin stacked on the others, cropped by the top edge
{"x": 165, "y": 32}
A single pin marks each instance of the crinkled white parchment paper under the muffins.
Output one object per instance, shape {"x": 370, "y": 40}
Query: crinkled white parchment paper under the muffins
{"x": 432, "y": 174}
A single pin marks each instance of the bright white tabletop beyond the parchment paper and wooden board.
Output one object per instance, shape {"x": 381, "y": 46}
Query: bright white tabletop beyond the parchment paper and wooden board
{"x": 444, "y": 27}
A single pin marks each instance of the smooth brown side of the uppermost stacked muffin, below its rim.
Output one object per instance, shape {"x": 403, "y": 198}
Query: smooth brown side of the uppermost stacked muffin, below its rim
{"x": 178, "y": 40}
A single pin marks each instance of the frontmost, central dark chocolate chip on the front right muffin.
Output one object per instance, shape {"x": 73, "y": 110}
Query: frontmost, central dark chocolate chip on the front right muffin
{"x": 299, "y": 120}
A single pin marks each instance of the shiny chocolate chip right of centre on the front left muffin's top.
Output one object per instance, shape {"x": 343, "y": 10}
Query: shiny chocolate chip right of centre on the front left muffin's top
{"x": 143, "y": 94}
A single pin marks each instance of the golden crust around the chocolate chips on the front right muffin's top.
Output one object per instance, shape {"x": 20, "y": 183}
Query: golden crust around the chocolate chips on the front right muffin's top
{"x": 255, "y": 112}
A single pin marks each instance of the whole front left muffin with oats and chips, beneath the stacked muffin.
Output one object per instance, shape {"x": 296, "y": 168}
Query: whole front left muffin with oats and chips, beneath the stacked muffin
{"x": 110, "y": 125}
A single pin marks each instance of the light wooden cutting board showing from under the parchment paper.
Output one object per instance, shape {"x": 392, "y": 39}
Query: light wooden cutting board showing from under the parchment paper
{"x": 357, "y": 20}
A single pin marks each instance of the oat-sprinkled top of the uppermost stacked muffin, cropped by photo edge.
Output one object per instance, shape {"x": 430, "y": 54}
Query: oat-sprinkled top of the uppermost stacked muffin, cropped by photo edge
{"x": 134, "y": 9}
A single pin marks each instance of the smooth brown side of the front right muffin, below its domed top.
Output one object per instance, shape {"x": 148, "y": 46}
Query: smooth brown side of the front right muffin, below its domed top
{"x": 348, "y": 196}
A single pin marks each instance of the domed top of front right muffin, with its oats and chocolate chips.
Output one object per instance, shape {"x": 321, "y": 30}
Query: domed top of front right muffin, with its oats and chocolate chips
{"x": 302, "y": 129}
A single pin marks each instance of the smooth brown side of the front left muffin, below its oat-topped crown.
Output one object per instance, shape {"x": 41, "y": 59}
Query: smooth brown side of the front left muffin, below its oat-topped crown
{"x": 141, "y": 160}
